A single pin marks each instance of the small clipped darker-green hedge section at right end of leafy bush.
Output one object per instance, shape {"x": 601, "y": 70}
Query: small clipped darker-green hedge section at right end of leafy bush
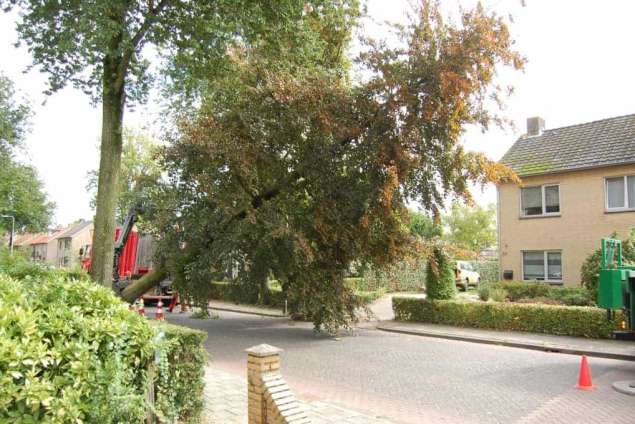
{"x": 180, "y": 381}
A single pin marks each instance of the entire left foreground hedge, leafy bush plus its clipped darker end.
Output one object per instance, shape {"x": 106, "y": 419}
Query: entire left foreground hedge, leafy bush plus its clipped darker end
{"x": 71, "y": 351}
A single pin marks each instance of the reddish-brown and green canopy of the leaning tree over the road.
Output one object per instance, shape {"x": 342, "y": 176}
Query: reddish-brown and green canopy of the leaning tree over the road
{"x": 298, "y": 174}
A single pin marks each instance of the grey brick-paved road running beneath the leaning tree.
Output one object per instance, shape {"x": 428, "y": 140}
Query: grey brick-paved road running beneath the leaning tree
{"x": 413, "y": 379}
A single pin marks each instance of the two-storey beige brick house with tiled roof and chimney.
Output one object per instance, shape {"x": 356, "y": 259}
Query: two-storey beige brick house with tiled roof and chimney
{"x": 578, "y": 185}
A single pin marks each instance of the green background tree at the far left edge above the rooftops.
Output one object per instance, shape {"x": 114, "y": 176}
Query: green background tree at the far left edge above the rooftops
{"x": 21, "y": 191}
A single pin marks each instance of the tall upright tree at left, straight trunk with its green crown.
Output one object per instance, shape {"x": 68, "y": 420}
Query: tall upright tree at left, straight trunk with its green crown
{"x": 98, "y": 47}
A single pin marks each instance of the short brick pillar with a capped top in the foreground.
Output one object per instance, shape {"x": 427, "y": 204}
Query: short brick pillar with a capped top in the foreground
{"x": 261, "y": 360}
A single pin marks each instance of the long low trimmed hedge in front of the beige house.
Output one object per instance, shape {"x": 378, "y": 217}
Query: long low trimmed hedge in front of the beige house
{"x": 560, "y": 320}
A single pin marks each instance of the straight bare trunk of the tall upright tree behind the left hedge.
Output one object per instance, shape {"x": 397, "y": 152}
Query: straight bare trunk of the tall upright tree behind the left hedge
{"x": 109, "y": 166}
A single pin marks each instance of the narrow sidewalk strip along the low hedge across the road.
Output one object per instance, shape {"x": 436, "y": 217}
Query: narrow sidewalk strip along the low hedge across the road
{"x": 611, "y": 349}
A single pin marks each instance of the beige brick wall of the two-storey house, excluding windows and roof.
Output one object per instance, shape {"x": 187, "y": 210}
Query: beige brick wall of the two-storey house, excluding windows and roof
{"x": 583, "y": 220}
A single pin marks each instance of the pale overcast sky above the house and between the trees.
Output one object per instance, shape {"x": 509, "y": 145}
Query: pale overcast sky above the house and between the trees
{"x": 581, "y": 68}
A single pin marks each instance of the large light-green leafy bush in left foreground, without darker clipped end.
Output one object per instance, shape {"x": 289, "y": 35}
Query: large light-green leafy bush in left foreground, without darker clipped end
{"x": 70, "y": 351}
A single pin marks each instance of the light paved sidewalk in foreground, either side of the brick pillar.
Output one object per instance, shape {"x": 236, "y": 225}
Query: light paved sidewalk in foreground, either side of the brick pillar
{"x": 226, "y": 403}
